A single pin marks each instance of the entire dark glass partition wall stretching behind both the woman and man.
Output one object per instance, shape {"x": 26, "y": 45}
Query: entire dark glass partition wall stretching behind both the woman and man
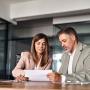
{"x": 17, "y": 38}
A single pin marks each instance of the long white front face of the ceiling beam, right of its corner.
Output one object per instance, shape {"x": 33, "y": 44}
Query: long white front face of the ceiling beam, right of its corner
{"x": 47, "y": 8}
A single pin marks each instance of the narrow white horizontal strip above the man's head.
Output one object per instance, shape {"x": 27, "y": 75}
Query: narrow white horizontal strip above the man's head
{"x": 72, "y": 19}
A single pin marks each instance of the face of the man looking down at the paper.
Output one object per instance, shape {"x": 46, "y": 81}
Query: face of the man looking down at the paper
{"x": 67, "y": 42}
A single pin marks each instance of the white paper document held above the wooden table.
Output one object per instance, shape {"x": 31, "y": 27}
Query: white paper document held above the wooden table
{"x": 37, "y": 75}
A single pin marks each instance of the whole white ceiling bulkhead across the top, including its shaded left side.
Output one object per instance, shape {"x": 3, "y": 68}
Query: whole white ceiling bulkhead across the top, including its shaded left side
{"x": 34, "y": 9}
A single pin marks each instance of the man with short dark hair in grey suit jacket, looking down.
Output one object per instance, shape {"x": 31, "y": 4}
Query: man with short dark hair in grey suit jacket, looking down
{"x": 75, "y": 60}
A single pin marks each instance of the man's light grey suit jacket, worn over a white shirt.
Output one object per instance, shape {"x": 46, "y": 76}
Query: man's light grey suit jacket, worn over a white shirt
{"x": 81, "y": 64}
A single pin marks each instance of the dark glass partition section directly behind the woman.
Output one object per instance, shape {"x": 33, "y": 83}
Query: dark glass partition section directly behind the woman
{"x": 20, "y": 38}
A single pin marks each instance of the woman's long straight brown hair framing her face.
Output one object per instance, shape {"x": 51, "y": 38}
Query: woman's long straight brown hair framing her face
{"x": 45, "y": 56}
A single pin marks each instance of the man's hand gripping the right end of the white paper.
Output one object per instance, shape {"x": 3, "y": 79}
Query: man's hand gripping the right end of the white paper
{"x": 54, "y": 77}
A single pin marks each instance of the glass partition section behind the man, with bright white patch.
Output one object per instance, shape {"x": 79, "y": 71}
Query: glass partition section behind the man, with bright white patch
{"x": 83, "y": 30}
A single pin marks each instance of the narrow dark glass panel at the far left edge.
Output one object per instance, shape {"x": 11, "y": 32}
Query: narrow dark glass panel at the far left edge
{"x": 3, "y": 48}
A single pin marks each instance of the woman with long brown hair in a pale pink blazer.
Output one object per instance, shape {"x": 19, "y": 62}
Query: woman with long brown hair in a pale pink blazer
{"x": 38, "y": 58}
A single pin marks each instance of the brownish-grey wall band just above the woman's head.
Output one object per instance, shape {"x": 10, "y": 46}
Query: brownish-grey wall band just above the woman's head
{"x": 31, "y": 28}
